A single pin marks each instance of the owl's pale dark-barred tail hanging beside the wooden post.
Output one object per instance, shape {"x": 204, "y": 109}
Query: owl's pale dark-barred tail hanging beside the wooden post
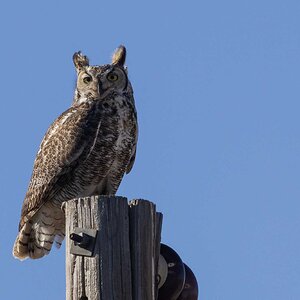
{"x": 37, "y": 235}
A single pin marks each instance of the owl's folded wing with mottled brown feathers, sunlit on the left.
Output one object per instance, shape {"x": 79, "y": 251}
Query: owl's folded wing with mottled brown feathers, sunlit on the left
{"x": 62, "y": 145}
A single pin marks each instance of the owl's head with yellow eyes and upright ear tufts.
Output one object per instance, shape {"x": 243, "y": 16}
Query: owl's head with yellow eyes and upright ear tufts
{"x": 96, "y": 82}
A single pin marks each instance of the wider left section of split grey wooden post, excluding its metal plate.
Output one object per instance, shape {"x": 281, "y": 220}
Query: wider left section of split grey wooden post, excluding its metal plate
{"x": 106, "y": 275}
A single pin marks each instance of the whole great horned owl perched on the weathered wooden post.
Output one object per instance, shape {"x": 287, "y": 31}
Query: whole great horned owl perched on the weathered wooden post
{"x": 85, "y": 151}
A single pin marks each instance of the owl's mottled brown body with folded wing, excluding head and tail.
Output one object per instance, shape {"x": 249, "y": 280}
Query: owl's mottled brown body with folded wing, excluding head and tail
{"x": 88, "y": 144}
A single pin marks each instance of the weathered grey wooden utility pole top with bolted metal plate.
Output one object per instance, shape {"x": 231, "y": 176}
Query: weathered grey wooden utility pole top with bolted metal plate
{"x": 112, "y": 248}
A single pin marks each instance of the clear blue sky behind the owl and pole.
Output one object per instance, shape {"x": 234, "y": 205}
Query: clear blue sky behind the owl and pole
{"x": 217, "y": 91}
